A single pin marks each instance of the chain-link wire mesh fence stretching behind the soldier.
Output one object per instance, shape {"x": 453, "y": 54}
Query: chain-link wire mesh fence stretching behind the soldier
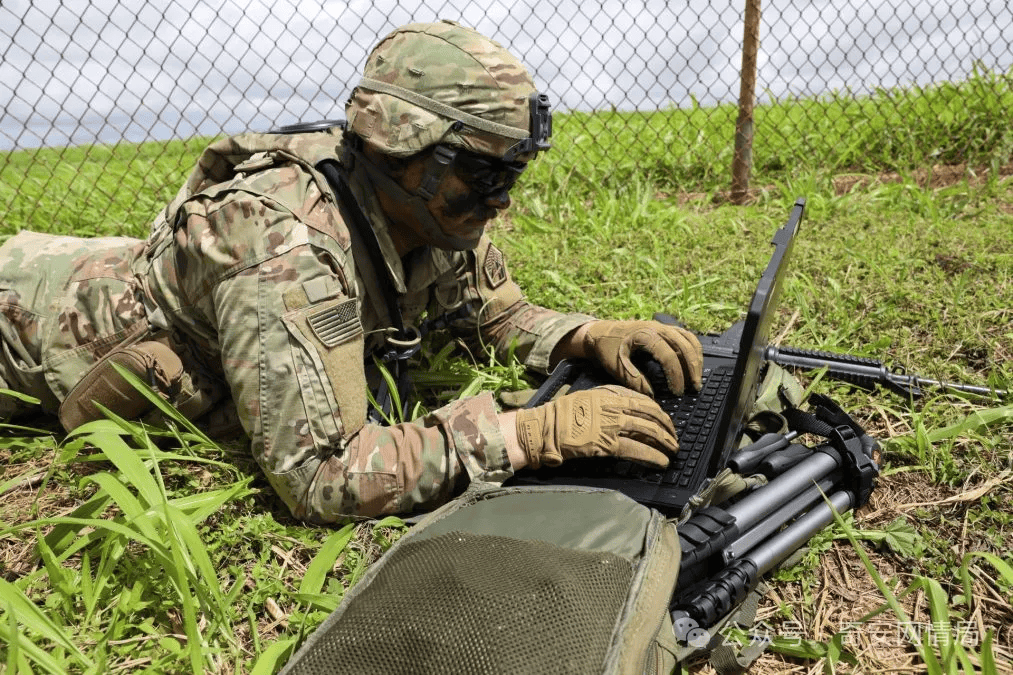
{"x": 86, "y": 85}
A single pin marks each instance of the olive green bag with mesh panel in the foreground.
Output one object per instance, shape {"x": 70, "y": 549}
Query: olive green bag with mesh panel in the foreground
{"x": 516, "y": 580}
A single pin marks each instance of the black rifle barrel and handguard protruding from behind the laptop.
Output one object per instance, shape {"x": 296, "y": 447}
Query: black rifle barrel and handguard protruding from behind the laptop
{"x": 869, "y": 373}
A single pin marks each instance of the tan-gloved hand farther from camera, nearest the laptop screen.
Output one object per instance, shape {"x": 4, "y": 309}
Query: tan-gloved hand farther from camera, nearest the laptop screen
{"x": 678, "y": 352}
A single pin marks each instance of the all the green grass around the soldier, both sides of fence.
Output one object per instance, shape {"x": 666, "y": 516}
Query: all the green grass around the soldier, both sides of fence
{"x": 126, "y": 549}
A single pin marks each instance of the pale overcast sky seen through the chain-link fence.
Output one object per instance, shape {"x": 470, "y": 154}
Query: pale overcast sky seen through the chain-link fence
{"x": 105, "y": 70}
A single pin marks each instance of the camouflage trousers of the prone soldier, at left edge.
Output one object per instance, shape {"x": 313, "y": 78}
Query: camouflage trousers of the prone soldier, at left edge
{"x": 65, "y": 304}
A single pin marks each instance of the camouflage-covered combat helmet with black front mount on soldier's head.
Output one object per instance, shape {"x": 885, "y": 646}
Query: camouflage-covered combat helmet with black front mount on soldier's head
{"x": 443, "y": 84}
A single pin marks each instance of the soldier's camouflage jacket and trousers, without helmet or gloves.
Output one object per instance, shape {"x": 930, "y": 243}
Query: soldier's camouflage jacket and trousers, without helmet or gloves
{"x": 240, "y": 269}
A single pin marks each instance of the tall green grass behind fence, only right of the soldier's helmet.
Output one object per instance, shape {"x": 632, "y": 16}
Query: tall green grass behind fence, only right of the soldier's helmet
{"x": 691, "y": 151}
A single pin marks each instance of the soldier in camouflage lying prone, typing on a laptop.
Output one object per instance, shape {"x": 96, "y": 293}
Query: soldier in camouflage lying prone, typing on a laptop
{"x": 288, "y": 261}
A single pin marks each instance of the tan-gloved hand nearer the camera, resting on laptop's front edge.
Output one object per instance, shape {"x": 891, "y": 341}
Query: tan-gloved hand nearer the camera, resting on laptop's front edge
{"x": 594, "y": 423}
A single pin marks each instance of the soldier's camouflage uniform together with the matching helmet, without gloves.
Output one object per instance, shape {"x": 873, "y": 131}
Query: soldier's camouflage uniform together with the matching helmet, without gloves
{"x": 250, "y": 277}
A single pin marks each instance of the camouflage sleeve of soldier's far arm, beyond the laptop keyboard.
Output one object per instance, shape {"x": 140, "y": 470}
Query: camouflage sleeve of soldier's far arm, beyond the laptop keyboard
{"x": 505, "y": 318}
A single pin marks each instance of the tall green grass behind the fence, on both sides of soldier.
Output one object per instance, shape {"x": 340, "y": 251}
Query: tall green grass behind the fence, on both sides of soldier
{"x": 117, "y": 190}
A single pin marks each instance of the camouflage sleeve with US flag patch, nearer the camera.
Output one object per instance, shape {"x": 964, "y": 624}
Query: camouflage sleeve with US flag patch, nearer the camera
{"x": 293, "y": 353}
